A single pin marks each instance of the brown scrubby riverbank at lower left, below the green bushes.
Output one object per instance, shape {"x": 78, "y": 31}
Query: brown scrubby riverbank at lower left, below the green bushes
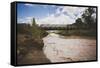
{"x": 29, "y": 50}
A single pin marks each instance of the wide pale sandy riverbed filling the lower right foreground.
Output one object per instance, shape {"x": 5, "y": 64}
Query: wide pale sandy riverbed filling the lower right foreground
{"x": 59, "y": 49}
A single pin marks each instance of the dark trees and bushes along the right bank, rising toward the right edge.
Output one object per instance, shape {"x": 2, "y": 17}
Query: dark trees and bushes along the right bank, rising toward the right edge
{"x": 84, "y": 26}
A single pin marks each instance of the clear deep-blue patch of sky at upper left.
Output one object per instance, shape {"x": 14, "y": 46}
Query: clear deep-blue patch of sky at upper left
{"x": 33, "y": 10}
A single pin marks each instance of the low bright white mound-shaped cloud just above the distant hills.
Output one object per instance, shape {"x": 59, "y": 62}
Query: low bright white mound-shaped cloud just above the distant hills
{"x": 52, "y": 19}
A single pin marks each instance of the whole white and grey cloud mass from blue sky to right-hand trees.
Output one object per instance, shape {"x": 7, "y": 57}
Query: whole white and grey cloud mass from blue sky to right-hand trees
{"x": 72, "y": 13}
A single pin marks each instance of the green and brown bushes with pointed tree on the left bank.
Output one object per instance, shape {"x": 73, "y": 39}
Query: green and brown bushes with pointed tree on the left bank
{"x": 29, "y": 37}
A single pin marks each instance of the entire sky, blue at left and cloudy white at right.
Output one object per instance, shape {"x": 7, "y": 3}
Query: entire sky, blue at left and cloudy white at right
{"x": 48, "y": 14}
